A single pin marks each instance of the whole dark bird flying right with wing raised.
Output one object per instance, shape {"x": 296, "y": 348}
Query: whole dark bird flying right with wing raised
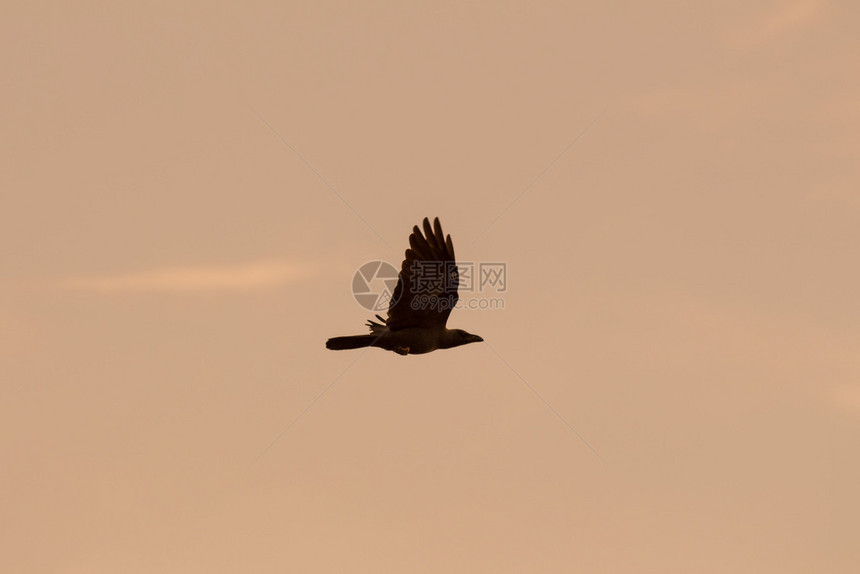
{"x": 425, "y": 294}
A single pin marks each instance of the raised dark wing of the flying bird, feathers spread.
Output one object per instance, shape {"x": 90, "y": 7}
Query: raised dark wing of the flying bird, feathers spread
{"x": 427, "y": 289}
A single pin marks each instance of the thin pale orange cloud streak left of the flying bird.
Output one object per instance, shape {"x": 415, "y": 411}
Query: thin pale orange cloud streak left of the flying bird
{"x": 238, "y": 278}
